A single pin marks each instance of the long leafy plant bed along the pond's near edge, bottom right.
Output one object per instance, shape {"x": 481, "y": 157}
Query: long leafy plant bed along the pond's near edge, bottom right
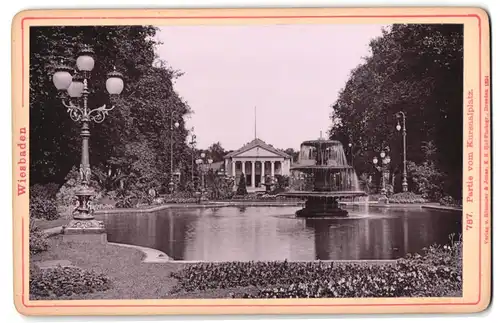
{"x": 438, "y": 272}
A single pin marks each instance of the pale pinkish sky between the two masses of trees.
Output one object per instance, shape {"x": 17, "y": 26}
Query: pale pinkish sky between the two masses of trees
{"x": 289, "y": 74}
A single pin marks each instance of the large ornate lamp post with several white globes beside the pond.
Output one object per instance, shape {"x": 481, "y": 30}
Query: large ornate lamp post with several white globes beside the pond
{"x": 74, "y": 93}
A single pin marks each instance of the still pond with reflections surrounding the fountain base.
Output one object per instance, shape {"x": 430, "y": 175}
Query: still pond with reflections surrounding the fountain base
{"x": 274, "y": 233}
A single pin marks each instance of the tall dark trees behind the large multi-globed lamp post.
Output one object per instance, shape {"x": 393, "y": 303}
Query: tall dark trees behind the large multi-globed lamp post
{"x": 131, "y": 148}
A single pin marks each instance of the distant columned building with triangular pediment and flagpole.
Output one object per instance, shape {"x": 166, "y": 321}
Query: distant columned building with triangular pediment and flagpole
{"x": 257, "y": 160}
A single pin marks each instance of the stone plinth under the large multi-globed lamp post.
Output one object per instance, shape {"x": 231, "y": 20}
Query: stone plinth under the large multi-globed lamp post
{"x": 85, "y": 231}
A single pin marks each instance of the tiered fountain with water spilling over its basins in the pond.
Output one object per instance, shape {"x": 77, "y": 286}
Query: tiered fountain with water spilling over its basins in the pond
{"x": 323, "y": 165}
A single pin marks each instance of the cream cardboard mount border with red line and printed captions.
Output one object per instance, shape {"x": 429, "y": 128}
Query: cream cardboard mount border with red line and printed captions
{"x": 477, "y": 285}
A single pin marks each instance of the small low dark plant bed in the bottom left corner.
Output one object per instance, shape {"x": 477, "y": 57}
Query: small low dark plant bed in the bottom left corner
{"x": 65, "y": 281}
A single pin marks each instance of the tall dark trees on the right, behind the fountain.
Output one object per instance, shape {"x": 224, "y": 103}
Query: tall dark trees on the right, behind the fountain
{"x": 417, "y": 69}
